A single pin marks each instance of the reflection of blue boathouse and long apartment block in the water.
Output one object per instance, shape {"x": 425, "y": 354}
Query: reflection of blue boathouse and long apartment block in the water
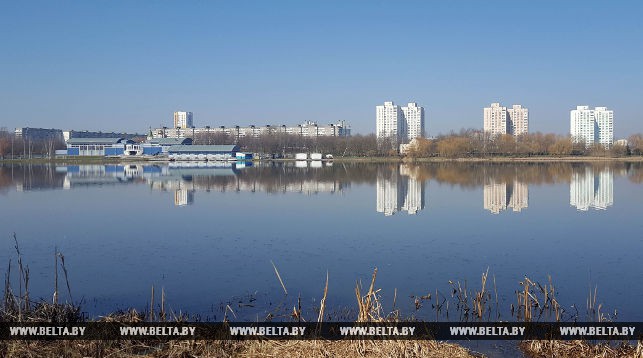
{"x": 184, "y": 179}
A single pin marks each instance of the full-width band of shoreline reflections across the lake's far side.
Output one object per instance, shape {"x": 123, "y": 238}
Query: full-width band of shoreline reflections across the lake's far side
{"x": 399, "y": 187}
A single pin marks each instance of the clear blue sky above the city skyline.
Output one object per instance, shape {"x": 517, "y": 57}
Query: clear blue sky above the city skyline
{"x": 128, "y": 65}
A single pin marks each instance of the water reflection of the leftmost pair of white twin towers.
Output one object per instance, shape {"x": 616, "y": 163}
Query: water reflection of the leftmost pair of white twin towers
{"x": 399, "y": 189}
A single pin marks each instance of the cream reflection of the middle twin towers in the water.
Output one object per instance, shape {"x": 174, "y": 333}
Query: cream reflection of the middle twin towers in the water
{"x": 502, "y": 194}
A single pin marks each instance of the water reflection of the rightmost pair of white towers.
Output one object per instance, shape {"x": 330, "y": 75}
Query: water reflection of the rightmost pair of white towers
{"x": 590, "y": 190}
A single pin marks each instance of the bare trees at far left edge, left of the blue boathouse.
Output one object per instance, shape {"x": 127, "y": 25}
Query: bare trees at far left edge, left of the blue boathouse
{"x": 18, "y": 147}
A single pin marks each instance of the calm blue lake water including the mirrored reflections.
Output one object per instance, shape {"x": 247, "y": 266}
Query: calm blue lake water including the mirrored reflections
{"x": 207, "y": 234}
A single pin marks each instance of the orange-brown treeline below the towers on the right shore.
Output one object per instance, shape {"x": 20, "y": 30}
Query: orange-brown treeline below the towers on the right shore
{"x": 470, "y": 143}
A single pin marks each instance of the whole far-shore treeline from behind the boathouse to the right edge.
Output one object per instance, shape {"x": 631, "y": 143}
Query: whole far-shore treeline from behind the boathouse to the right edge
{"x": 466, "y": 143}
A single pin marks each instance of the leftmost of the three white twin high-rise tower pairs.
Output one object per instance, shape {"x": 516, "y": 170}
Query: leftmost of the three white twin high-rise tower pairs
{"x": 400, "y": 123}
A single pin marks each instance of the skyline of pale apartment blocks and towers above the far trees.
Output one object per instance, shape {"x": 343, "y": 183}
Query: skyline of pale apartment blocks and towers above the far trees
{"x": 409, "y": 120}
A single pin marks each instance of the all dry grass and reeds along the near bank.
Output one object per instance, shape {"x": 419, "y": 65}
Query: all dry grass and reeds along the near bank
{"x": 534, "y": 301}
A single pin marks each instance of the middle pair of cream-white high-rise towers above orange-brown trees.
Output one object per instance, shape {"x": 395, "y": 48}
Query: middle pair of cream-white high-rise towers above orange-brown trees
{"x": 502, "y": 120}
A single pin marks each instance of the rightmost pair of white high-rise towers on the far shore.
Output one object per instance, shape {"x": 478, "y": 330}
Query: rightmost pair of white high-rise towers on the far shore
{"x": 591, "y": 126}
